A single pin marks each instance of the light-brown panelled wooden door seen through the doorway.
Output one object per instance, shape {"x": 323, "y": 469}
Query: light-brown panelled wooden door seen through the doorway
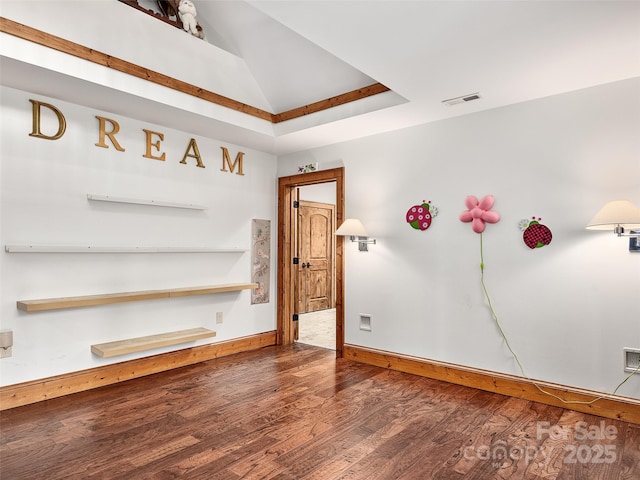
{"x": 316, "y": 250}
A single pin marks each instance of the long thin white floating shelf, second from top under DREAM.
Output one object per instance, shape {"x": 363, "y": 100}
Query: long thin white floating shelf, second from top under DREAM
{"x": 111, "y": 249}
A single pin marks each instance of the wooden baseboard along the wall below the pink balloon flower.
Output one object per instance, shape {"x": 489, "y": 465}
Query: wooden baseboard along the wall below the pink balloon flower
{"x": 608, "y": 406}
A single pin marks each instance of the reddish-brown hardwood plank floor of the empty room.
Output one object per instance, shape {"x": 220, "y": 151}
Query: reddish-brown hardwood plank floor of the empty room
{"x": 296, "y": 412}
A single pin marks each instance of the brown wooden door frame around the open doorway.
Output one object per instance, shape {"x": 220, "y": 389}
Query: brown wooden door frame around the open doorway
{"x": 286, "y": 243}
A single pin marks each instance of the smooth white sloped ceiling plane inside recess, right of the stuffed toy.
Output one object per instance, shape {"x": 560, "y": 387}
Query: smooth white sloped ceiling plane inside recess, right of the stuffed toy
{"x": 290, "y": 70}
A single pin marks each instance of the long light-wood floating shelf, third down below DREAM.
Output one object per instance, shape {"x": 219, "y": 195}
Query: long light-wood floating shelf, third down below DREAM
{"x": 109, "y": 298}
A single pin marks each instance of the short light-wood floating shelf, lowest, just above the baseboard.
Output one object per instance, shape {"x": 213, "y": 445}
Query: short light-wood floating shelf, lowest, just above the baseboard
{"x": 131, "y": 345}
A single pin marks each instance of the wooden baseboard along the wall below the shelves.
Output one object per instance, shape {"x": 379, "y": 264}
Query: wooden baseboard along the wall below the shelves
{"x": 20, "y": 394}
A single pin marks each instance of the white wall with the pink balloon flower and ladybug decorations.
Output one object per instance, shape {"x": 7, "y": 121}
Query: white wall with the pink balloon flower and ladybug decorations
{"x": 569, "y": 308}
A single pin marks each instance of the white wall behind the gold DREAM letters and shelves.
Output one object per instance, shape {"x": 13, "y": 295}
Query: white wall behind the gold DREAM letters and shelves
{"x": 44, "y": 201}
